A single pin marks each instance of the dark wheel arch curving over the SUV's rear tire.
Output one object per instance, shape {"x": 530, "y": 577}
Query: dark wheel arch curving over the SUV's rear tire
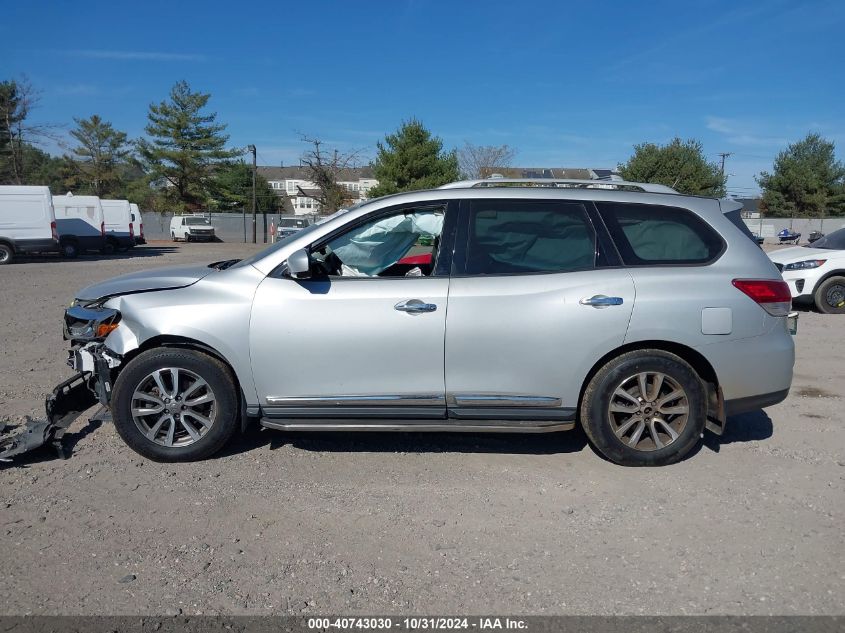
{"x": 702, "y": 367}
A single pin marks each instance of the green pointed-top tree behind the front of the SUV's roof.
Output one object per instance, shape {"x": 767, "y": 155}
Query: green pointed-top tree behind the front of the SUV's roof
{"x": 410, "y": 159}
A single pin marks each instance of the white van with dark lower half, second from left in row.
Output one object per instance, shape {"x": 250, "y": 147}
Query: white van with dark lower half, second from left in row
{"x": 81, "y": 224}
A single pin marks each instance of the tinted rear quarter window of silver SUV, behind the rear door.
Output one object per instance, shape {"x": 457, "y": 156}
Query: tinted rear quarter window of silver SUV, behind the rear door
{"x": 654, "y": 235}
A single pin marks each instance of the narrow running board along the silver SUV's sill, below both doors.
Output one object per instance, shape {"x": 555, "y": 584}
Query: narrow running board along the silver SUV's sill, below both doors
{"x": 421, "y": 426}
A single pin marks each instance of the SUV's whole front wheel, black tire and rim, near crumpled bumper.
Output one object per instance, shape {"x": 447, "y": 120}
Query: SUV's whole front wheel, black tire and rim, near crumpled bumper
{"x": 175, "y": 405}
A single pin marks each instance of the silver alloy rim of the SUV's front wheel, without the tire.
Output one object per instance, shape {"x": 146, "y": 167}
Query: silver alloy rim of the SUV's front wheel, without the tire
{"x": 173, "y": 407}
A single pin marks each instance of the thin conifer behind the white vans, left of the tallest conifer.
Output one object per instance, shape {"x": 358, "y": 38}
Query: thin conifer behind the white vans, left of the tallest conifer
{"x": 100, "y": 156}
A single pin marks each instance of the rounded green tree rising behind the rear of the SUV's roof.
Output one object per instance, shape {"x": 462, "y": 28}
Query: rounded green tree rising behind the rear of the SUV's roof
{"x": 678, "y": 164}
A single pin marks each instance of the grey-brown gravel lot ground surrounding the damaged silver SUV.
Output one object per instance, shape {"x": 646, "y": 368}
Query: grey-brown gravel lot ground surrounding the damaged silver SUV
{"x": 752, "y": 523}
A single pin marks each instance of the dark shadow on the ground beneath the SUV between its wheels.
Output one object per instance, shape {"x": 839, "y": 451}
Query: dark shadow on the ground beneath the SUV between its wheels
{"x": 254, "y": 437}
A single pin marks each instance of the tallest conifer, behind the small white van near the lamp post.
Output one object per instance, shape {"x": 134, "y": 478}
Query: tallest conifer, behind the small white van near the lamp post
{"x": 184, "y": 146}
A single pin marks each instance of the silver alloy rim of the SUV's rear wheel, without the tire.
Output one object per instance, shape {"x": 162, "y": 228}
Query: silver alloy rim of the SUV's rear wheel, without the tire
{"x": 648, "y": 411}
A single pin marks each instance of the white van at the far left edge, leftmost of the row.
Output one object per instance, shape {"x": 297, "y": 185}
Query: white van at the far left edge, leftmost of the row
{"x": 27, "y": 222}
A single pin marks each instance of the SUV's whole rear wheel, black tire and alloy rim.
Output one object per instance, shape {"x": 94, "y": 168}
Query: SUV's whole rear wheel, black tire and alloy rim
{"x": 644, "y": 408}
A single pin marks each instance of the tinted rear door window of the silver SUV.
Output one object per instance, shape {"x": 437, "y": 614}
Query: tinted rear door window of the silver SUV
{"x": 521, "y": 236}
